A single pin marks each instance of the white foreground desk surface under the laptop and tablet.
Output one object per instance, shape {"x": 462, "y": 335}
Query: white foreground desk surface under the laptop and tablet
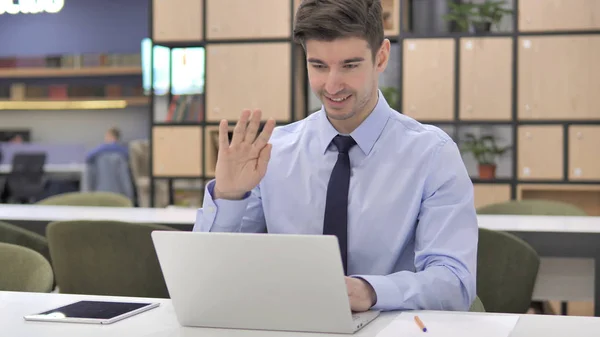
{"x": 163, "y": 322}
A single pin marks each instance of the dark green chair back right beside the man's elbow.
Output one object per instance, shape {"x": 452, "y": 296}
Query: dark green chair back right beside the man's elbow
{"x": 507, "y": 269}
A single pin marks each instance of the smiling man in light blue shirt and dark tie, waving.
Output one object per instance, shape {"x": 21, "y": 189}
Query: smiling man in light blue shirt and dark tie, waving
{"x": 395, "y": 192}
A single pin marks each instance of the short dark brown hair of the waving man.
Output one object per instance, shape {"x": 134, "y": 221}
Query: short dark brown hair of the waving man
{"x": 328, "y": 20}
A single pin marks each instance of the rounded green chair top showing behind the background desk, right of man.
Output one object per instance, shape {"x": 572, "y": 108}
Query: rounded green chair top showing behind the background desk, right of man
{"x": 532, "y": 207}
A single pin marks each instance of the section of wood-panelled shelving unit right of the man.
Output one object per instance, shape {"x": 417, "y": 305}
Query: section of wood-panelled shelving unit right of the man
{"x": 535, "y": 83}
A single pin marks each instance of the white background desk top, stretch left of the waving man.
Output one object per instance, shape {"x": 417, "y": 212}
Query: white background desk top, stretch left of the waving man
{"x": 168, "y": 216}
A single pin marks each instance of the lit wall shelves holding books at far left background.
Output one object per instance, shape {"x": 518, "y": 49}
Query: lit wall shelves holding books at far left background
{"x": 71, "y": 82}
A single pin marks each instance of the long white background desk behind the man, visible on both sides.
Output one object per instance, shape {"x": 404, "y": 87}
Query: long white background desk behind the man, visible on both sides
{"x": 562, "y": 237}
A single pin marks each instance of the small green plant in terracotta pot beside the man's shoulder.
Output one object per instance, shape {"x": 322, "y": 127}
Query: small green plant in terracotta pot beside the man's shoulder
{"x": 486, "y": 151}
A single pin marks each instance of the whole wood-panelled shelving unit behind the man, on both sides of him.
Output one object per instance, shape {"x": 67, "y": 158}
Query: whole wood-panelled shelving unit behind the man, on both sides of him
{"x": 535, "y": 82}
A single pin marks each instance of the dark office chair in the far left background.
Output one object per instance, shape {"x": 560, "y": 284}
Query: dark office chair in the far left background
{"x": 25, "y": 183}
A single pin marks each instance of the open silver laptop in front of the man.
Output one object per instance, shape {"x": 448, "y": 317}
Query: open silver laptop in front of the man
{"x": 277, "y": 282}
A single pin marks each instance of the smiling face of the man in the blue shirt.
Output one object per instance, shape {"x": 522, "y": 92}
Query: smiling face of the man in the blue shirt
{"x": 344, "y": 75}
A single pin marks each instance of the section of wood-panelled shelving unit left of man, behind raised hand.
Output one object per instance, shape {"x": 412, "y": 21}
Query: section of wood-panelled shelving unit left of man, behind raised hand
{"x": 250, "y": 61}
